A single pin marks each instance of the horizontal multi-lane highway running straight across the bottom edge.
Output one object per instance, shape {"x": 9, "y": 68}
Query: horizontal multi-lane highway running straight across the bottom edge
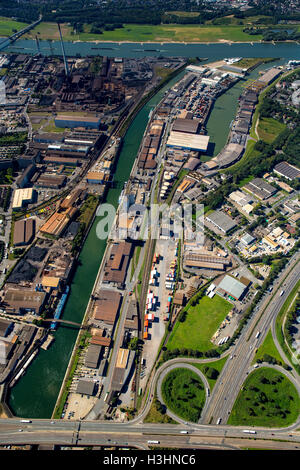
{"x": 107, "y": 433}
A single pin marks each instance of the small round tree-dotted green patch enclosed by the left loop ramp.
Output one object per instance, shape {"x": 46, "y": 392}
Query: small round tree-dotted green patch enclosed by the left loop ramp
{"x": 183, "y": 393}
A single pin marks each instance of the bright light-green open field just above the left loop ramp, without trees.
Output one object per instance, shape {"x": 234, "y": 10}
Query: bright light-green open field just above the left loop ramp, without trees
{"x": 201, "y": 322}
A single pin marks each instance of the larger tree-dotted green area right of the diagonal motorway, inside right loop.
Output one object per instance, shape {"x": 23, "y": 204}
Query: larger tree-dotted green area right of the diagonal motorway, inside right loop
{"x": 268, "y": 398}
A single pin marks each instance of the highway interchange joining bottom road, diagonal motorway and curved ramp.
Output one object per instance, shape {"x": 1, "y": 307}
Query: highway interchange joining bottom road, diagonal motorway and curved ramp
{"x": 200, "y": 435}
